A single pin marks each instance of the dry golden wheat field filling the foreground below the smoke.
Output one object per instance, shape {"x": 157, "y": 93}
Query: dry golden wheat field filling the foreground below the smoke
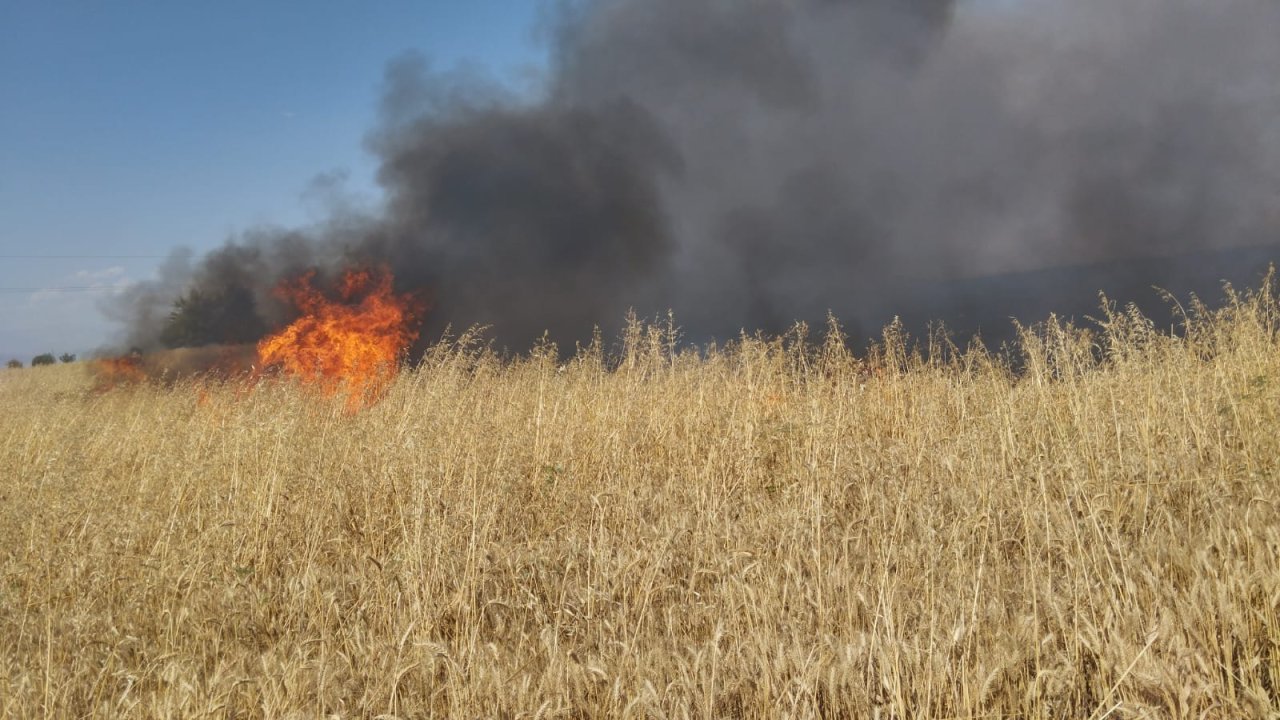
{"x": 1084, "y": 525}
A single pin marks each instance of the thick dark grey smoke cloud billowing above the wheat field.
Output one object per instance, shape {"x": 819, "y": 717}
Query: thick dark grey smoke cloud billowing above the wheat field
{"x": 751, "y": 163}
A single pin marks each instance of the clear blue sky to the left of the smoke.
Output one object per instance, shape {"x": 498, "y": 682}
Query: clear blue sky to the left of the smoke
{"x": 129, "y": 129}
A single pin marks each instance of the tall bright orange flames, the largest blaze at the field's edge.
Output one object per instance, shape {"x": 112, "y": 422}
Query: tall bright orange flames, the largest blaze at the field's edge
{"x": 355, "y": 340}
